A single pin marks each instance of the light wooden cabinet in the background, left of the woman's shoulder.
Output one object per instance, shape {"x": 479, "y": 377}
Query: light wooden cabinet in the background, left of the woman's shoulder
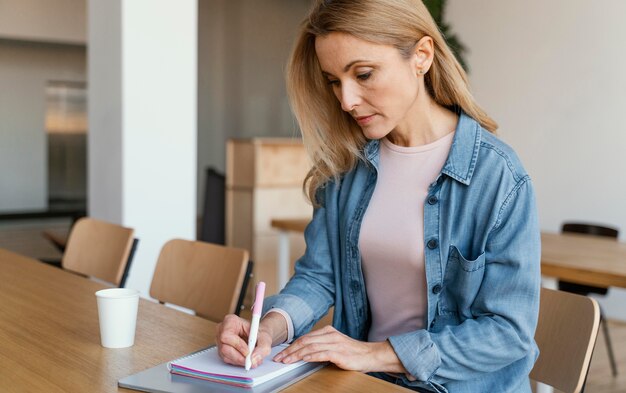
{"x": 264, "y": 181}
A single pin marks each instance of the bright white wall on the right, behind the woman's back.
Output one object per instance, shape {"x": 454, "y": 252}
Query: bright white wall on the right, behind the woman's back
{"x": 552, "y": 74}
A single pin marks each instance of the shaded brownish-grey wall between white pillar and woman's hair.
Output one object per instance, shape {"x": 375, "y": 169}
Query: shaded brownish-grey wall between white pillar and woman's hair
{"x": 243, "y": 49}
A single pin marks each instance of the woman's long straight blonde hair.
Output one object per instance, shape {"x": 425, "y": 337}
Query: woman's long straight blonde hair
{"x": 333, "y": 139}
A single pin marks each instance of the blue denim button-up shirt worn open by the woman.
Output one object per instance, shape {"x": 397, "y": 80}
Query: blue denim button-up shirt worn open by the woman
{"x": 482, "y": 261}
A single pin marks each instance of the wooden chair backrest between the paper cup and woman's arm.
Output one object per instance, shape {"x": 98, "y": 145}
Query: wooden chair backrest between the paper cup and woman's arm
{"x": 204, "y": 277}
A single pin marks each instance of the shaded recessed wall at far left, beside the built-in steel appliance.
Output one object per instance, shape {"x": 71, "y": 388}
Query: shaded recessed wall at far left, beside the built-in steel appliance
{"x": 25, "y": 68}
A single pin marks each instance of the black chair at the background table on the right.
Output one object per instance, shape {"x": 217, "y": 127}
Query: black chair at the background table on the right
{"x": 585, "y": 290}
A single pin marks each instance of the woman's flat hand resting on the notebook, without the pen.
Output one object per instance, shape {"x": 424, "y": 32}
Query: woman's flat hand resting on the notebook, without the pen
{"x": 329, "y": 345}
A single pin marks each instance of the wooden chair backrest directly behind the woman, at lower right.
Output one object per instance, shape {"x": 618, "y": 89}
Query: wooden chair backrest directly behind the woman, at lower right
{"x": 566, "y": 335}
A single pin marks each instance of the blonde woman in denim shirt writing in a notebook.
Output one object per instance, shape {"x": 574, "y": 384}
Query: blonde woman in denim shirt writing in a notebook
{"x": 424, "y": 236}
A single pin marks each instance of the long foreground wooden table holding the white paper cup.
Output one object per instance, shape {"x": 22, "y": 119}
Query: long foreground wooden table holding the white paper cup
{"x": 49, "y": 337}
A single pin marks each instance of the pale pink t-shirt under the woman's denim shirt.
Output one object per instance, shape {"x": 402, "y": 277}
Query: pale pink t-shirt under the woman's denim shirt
{"x": 392, "y": 236}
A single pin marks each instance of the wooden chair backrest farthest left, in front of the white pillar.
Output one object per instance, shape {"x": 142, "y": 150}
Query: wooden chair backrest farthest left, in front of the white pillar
{"x": 98, "y": 249}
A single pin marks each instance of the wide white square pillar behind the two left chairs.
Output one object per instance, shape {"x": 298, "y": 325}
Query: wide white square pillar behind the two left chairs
{"x": 143, "y": 92}
